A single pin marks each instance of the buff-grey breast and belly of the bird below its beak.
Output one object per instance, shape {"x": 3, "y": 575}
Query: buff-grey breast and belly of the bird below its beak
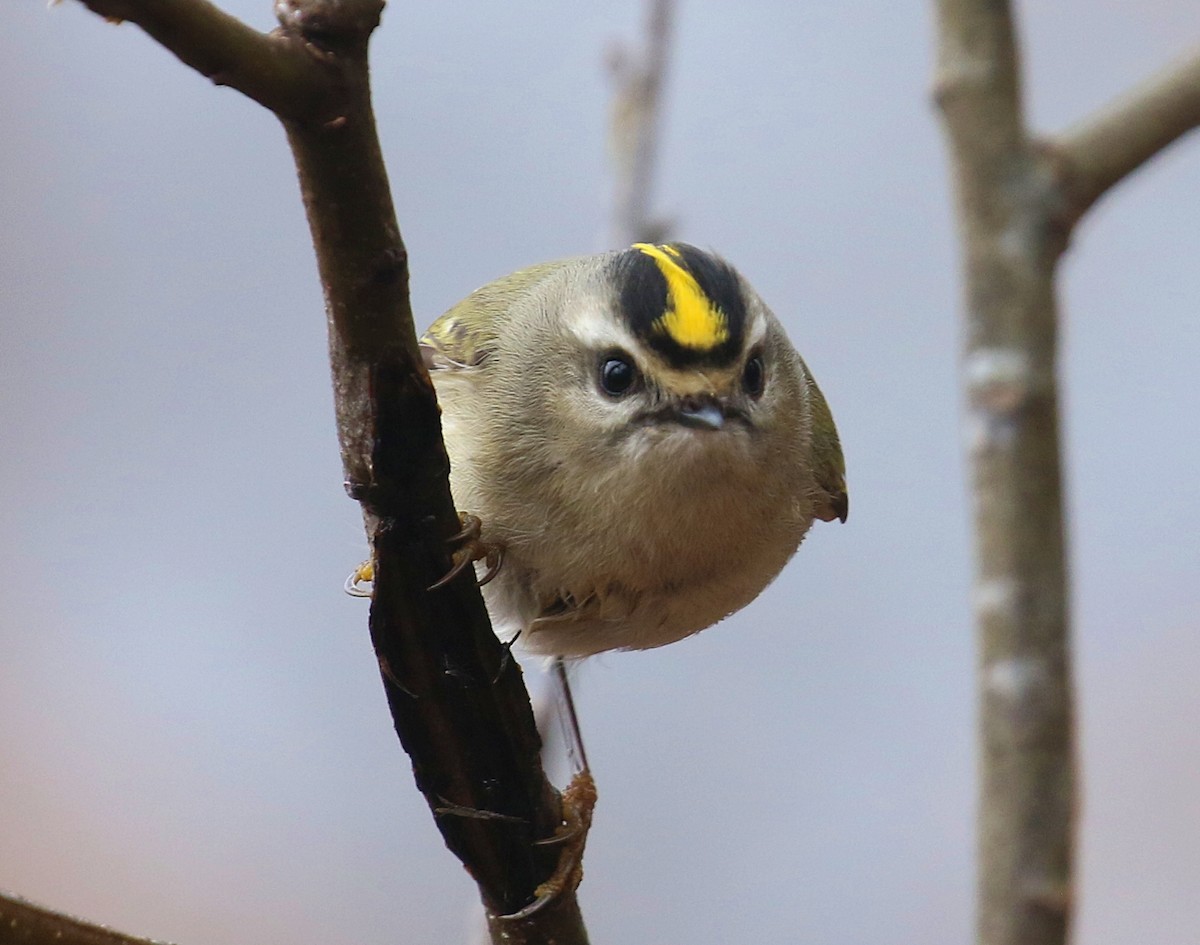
{"x": 632, "y": 551}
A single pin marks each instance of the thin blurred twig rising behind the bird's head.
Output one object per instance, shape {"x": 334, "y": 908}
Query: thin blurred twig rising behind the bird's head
{"x": 634, "y": 130}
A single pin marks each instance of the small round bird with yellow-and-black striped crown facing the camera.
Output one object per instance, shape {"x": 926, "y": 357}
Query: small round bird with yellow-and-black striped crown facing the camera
{"x": 639, "y": 436}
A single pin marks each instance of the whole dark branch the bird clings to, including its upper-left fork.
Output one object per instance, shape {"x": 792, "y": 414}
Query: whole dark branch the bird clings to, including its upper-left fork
{"x": 457, "y": 696}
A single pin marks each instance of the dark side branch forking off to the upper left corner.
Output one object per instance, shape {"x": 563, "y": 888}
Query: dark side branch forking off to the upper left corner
{"x": 273, "y": 70}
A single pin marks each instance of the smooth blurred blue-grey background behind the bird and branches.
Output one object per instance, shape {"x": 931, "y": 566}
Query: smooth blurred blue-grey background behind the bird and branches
{"x": 195, "y": 743}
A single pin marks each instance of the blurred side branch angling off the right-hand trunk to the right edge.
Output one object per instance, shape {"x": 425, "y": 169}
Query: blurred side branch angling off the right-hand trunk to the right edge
{"x": 1102, "y": 151}
